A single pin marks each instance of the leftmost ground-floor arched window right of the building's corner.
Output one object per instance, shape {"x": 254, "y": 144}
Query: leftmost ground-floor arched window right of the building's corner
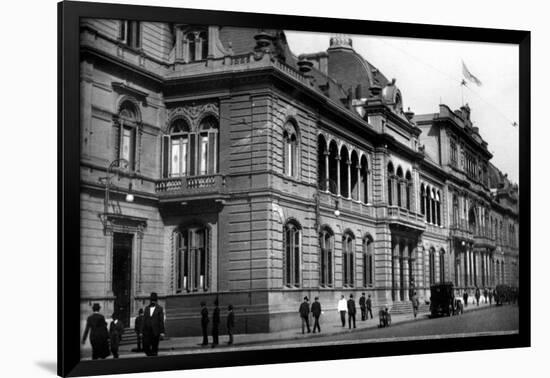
{"x": 292, "y": 238}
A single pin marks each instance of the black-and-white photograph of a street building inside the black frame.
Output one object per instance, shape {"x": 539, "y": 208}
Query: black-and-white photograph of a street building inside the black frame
{"x": 248, "y": 188}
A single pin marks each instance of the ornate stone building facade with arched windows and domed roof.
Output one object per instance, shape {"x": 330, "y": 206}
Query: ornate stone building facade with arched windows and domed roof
{"x": 259, "y": 177}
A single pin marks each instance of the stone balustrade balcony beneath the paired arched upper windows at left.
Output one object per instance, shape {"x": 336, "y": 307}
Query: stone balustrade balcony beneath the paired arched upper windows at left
{"x": 188, "y": 188}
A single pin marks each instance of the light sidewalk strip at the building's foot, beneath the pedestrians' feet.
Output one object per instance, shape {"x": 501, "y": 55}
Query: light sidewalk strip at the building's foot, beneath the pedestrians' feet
{"x": 329, "y": 327}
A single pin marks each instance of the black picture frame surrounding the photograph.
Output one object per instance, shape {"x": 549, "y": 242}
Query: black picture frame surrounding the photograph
{"x": 69, "y": 14}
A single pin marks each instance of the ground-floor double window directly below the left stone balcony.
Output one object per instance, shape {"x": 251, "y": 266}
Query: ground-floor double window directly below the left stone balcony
{"x": 192, "y": 259}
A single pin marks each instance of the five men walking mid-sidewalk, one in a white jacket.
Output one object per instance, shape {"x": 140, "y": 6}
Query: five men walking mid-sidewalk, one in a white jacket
{"x": 343, "y": 307}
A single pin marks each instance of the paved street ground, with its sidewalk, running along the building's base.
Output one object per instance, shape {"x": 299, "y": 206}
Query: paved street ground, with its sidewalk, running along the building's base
{"x": 475, "y": 321}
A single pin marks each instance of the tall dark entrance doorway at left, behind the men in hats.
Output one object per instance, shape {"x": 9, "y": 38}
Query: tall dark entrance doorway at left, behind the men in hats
{"x": 122, "y": 275}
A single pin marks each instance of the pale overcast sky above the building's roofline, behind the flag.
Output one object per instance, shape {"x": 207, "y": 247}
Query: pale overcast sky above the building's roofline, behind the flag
{"x": 429, "y": 72}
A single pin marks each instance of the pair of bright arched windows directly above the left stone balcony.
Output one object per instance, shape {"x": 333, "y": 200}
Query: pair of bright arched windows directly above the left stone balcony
{"x": 189, "y": 153}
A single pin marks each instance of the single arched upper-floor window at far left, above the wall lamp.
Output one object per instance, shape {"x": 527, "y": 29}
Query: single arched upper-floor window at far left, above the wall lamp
{"x": 127, "y": 134}
